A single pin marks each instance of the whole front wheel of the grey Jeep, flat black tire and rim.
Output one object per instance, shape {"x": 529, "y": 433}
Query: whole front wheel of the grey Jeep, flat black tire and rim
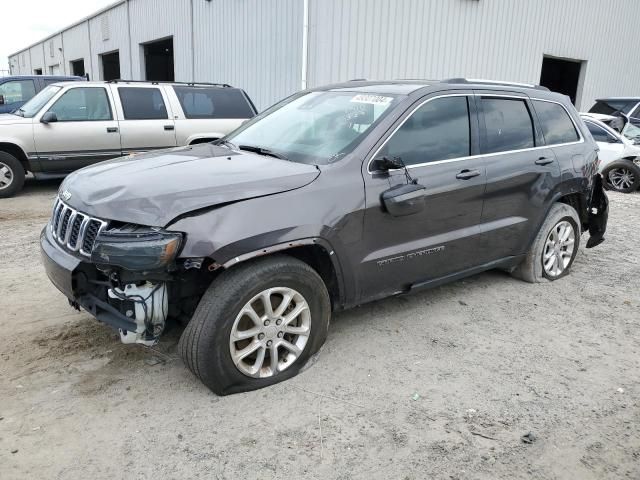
{"x": 206, "y": 344}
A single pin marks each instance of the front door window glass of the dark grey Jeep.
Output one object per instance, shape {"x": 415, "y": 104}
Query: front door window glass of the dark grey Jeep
{"x": 438, "y": 130}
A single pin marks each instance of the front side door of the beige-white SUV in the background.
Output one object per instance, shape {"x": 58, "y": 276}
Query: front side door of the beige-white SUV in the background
{"x": 85, "y": 130}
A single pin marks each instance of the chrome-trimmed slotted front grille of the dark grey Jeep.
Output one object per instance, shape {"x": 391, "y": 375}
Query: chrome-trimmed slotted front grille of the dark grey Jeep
{"x": 74, "y": 230}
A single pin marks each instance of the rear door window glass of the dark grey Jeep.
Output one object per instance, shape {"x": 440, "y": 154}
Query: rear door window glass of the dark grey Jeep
{"x": 508, "y": 125}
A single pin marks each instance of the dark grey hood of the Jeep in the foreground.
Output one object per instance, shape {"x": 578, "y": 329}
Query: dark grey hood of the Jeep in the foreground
{"x": 154, "y": 188}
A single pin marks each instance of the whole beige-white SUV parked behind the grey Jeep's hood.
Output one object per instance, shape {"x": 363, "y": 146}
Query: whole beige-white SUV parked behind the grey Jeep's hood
{"x": 71, "y": 125}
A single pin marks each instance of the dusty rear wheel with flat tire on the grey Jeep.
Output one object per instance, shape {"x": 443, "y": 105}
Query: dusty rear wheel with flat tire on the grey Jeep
{"x": 532, "y": 269}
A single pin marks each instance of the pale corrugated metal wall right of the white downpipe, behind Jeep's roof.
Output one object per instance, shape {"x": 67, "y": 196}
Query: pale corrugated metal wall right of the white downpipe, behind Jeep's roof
{"x": 494, "y": 39}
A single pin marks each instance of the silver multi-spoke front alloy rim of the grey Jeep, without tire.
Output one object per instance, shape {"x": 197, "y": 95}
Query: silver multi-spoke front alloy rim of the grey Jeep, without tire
{"x": 270, "y": 332}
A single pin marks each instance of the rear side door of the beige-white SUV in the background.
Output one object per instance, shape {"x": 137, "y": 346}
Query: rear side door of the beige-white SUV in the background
{"x": 146, "y": 121}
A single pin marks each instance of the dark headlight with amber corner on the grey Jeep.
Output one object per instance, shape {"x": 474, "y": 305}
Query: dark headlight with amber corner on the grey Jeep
{"x": 140, "y": 249}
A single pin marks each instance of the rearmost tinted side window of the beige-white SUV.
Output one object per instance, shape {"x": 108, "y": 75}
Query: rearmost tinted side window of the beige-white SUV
{"x": 213, "y": 102}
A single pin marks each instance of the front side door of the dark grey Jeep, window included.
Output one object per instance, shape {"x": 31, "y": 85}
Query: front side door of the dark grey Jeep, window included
{"x": 436, "y": 140}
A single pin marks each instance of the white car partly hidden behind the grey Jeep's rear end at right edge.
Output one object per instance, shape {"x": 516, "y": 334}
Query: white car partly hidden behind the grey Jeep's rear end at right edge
{"x": 619, "y": 155}
